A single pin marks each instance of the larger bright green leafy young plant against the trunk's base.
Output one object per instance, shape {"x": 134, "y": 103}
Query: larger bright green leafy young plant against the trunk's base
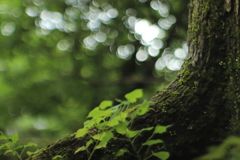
{"x": 108, "y": 120}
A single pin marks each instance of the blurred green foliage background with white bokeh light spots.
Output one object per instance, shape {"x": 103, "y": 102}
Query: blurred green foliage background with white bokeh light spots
{"x": 61, "y": 58}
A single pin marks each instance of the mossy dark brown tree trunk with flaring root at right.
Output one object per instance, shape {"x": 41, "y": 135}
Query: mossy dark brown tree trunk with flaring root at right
{"x": 201, "y": 104}
